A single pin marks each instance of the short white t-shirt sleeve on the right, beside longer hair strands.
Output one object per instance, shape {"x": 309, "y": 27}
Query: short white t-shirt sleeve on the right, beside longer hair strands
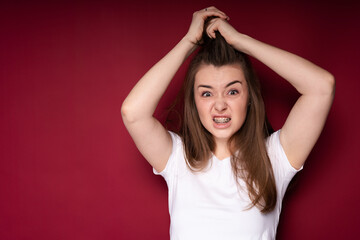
{"x": 282, "y": 168}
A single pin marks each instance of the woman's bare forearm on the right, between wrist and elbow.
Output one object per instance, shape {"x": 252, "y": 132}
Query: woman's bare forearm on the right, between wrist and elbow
{"x": 305, "y": 76}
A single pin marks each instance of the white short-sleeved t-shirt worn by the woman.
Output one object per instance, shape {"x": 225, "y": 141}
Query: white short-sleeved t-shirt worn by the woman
{"x": 208, "y": 204}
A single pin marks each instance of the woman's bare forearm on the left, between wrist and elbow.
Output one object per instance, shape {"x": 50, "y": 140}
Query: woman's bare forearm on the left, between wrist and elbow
{"x": 144, "y": 97}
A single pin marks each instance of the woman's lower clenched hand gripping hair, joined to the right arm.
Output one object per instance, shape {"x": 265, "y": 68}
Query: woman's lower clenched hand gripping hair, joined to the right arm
{"x": 227, "y": 31}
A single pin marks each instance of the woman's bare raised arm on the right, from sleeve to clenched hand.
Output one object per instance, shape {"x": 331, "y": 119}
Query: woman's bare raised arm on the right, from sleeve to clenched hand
{"x": 306, "y": 120}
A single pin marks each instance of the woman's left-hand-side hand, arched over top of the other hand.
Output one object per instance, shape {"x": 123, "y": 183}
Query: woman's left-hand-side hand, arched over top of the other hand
{"x": 197, "y": 24}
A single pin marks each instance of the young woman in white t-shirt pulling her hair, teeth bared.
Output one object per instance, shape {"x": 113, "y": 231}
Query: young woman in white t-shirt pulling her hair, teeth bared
{"x": 226, "y": 171}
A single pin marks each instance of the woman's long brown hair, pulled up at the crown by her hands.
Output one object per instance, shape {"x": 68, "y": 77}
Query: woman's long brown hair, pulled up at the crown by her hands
{"x": 249, "y": 159}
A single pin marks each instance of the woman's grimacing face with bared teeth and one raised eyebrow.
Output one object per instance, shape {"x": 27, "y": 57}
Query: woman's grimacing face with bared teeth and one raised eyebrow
{"x": 221, "y": 98}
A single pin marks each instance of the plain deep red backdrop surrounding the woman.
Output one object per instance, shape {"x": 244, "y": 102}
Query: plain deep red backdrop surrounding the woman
{"x": 69, "y": 169}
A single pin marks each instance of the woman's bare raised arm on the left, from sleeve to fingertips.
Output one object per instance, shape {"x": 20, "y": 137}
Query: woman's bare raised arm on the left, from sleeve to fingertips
{"x": 150, "y": 137}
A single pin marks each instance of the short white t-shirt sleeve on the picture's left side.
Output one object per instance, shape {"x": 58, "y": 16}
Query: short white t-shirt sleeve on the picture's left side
{"x": 171, "y": 167}
